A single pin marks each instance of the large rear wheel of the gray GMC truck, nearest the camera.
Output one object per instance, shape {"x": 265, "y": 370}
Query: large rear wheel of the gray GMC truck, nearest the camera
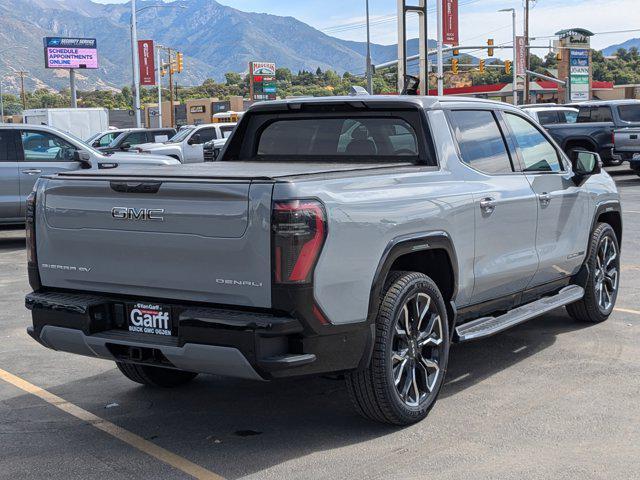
{"x": 373, "y": 390}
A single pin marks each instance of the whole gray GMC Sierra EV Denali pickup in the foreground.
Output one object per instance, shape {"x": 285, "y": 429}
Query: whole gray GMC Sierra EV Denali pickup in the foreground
{"x": 360, "y": 235}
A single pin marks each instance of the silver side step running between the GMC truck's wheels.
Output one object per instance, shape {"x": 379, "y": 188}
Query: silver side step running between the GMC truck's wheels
{"x": 487, "y": 326}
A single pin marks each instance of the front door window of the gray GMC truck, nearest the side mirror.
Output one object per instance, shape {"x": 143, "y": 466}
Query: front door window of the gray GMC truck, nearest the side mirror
{"x": 538, "y": 154}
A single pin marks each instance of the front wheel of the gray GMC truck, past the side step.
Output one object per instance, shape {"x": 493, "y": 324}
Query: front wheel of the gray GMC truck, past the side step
{"x": 591, "y": 308}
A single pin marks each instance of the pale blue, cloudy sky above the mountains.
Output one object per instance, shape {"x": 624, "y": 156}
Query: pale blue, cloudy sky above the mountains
{"x": 479, "y": 19}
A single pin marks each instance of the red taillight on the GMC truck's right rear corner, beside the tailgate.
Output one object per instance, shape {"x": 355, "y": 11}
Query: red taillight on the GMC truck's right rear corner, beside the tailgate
{"x": 299, "y": 229}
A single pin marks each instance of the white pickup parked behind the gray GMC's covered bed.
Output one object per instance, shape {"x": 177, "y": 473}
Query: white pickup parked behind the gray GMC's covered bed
{"x": 187, "y": 144}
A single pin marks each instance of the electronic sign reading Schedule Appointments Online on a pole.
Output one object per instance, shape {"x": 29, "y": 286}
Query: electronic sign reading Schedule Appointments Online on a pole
{"x": 70, "y": 53}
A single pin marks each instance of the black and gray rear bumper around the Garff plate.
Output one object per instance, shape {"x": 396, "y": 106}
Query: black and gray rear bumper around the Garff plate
{"x": 243, "y": 344}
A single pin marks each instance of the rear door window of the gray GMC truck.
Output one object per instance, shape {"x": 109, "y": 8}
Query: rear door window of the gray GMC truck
{"x": 480, "y": 140}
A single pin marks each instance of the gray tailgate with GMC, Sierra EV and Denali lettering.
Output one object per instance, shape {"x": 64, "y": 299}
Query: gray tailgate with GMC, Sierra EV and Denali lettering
{"x": 203, "y": 241}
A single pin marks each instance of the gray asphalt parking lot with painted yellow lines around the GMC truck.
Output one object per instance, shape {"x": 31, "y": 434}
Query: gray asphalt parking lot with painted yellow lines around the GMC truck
{"x": 552, "y": 398}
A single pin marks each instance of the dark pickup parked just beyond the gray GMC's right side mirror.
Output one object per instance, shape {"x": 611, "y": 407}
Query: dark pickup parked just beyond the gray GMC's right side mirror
{"x": 595, "y": 129}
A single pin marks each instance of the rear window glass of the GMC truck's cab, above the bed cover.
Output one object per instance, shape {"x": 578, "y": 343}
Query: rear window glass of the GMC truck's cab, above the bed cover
{"x": 365, "y": 139}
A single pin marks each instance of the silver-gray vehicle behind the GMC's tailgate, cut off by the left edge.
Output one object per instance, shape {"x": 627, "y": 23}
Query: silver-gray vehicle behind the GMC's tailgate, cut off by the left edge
{"x": 29, "y": 151}
